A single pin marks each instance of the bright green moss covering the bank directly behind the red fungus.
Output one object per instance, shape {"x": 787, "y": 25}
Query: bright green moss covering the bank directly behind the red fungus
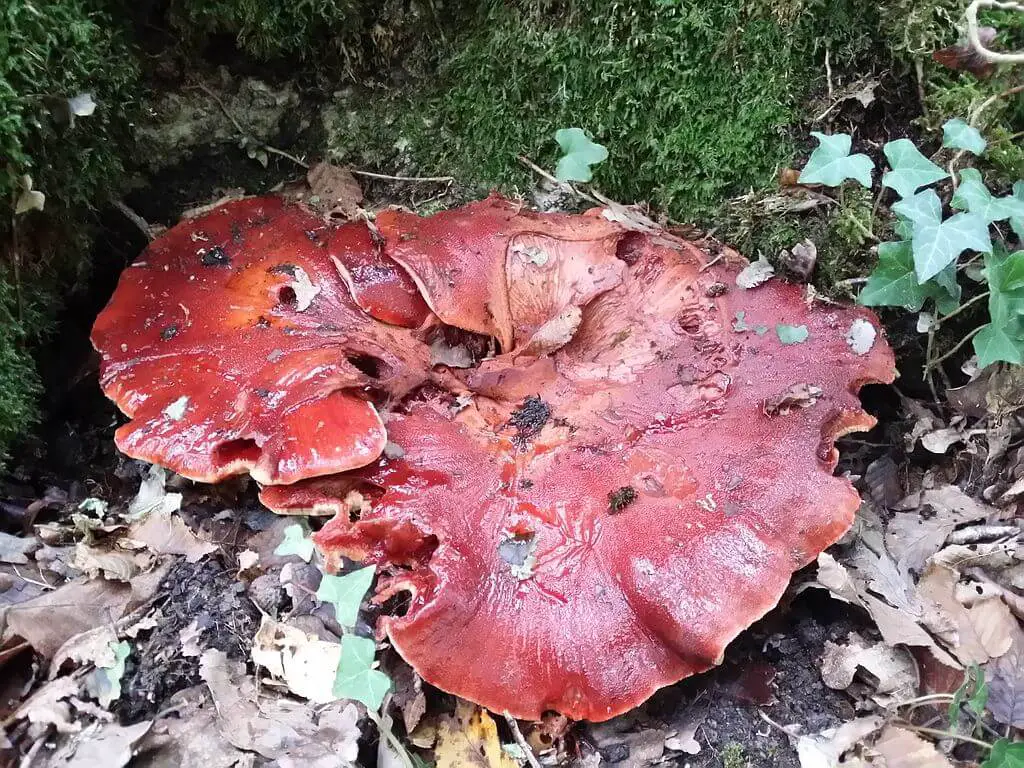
{"x": 692, "y": 101}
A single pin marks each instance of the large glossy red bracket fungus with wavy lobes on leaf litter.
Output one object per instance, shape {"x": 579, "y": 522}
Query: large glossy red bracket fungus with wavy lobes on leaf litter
{"x": 591, "y": 514}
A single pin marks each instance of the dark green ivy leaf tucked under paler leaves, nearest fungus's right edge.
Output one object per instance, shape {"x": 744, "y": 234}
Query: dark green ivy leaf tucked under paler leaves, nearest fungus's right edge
{"x": 894, "y": 283}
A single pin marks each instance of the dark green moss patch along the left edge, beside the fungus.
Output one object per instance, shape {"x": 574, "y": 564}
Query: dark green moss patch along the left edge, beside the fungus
{"x": 53, "y": 51}
